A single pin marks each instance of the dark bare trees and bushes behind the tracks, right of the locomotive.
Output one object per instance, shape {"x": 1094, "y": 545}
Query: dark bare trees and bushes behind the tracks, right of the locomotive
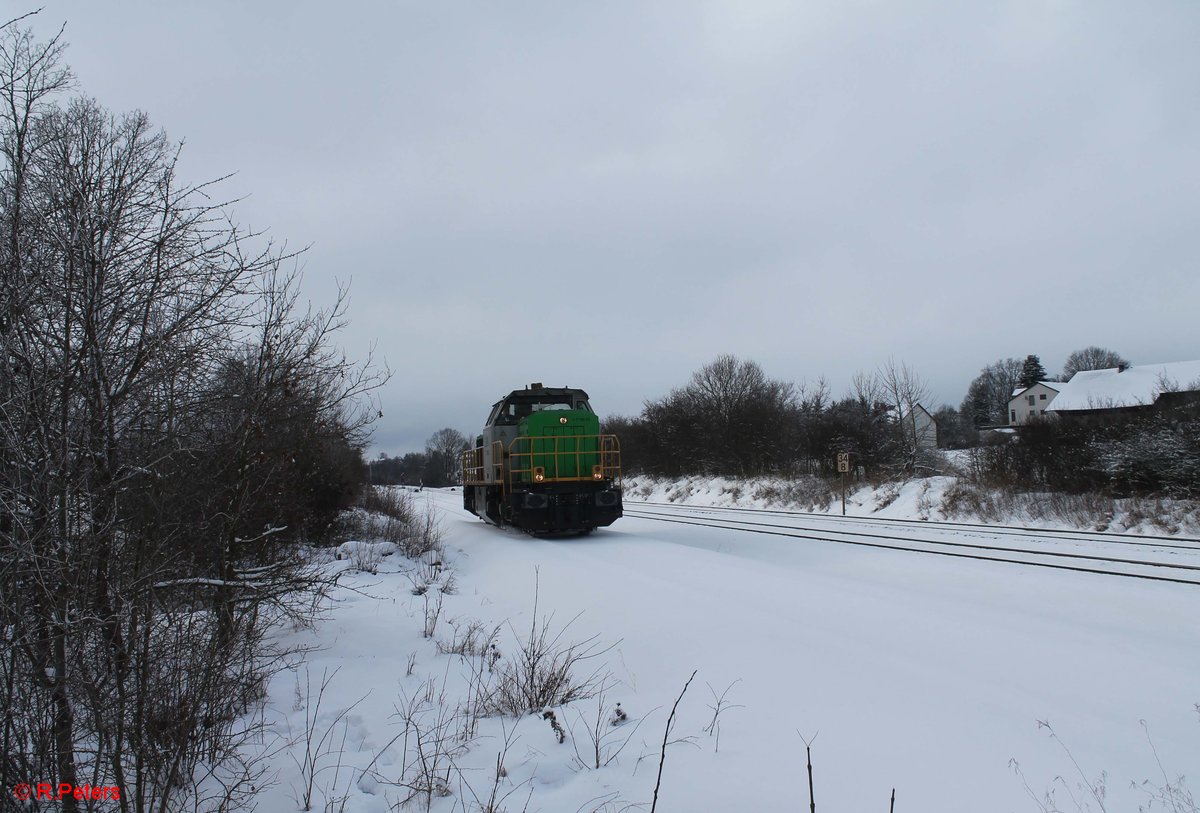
{"x": 734, "y": 420}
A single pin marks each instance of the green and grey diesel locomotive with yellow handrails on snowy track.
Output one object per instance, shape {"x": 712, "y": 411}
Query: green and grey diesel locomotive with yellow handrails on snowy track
{"x": 543, "y": 466}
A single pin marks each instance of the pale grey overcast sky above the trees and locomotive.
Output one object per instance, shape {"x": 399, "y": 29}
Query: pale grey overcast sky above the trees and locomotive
{"x": 610, "y": 195}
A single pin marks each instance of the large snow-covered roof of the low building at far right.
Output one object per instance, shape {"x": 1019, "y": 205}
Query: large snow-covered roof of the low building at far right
{"x": 1133, "y": 387}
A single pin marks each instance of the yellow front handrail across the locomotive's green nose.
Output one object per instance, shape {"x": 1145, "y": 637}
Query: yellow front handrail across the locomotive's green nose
{"x": 548, "y": 459}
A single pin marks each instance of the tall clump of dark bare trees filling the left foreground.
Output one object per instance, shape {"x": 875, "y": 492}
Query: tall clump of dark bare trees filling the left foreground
{"x": 139, "y": 581}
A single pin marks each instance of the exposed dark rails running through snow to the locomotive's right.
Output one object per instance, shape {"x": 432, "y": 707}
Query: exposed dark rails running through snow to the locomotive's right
{"x": 1160, "y": 559}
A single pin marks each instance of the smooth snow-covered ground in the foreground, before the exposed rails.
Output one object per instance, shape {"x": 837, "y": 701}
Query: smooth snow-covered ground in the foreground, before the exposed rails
{"x": 925, "y": 675}
